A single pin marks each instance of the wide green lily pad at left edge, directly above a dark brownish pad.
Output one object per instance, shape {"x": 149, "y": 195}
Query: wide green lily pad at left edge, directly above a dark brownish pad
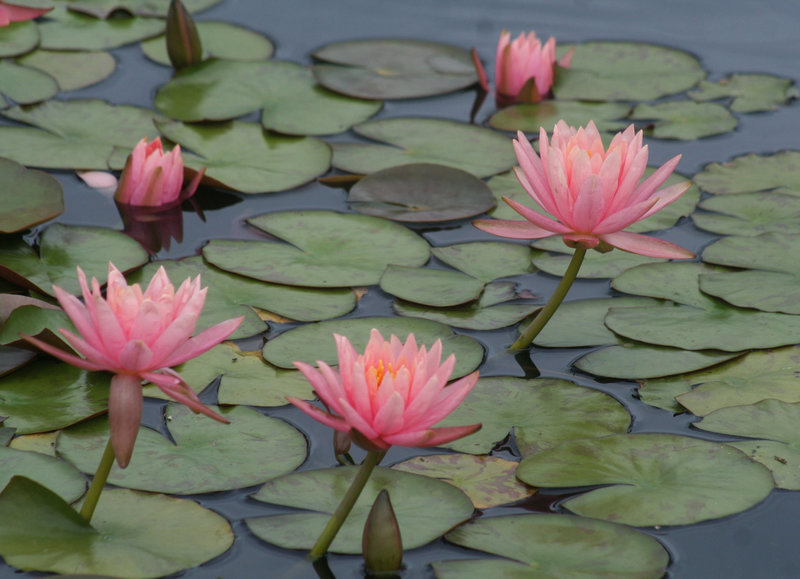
{"x": 74, "y": 134}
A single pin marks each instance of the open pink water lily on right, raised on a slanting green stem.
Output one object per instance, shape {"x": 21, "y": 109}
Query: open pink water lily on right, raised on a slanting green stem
{"x": 592, "y": 193}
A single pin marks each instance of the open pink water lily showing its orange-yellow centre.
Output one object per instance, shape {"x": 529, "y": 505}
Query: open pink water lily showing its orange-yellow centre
{"x": 391, "y": 395}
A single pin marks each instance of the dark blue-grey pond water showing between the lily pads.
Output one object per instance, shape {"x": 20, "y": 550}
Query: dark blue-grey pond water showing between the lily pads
{"x": 727, "y": 37}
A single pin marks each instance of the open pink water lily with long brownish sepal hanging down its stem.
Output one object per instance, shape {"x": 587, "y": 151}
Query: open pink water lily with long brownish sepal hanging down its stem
{"x": 138, "y": 336}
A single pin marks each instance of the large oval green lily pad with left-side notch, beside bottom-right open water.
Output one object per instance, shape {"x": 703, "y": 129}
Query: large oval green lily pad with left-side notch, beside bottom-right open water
{"x": 652, "y": 479}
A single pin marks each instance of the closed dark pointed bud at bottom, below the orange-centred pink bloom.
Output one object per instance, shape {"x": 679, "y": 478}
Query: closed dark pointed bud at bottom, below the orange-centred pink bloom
{"x": 381, "y": 542}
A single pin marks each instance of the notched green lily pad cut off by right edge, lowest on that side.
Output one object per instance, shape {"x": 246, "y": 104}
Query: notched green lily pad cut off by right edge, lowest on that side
{"x": 772, "y": 420}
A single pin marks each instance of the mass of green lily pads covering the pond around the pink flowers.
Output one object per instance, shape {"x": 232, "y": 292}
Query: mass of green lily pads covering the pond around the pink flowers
{"x": 712, "y": 337}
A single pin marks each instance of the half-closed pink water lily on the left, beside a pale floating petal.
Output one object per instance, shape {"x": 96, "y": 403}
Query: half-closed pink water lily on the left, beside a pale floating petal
{"x": 154, "y": 178}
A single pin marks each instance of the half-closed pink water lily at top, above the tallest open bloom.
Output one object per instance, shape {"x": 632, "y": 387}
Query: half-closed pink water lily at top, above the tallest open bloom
{"x": 524, "y": 69}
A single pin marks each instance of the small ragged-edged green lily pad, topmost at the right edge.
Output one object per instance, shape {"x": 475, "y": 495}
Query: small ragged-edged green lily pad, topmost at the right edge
{"x": 750, "y": 93}
